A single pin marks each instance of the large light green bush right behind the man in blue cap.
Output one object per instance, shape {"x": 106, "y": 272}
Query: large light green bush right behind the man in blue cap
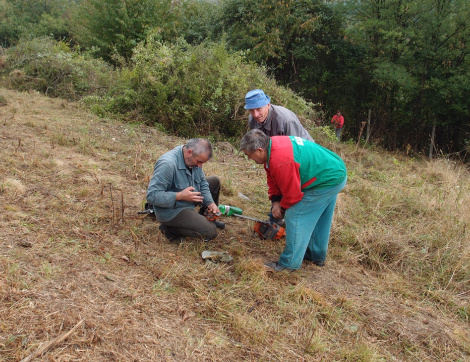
{"x": 194, "y": 90}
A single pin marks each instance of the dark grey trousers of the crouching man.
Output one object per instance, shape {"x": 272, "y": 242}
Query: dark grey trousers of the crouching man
{"x": 193, "y": 224}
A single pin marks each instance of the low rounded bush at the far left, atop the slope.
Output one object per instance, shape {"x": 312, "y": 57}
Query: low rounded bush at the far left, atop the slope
{"x": 53, "y": 68}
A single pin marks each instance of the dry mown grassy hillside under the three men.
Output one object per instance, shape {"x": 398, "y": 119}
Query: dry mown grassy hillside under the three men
{"x": 75, "y": 257}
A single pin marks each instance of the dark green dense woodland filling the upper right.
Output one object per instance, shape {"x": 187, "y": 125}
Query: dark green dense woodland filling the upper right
{"x": 405, "y": 61}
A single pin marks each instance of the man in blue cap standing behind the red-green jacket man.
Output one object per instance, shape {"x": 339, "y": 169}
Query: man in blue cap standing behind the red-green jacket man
{"x": 270, "y": 119}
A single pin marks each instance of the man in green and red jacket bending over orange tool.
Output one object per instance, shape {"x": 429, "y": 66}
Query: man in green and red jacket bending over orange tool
{"x": 304, "y": 180}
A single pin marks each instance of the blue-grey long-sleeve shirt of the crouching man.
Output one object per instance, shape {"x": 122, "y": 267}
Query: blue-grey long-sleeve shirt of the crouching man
{"x": 170, "y": 175}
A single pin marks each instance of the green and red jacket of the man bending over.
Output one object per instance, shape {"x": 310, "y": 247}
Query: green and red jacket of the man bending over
{"x": 295, "y": 164}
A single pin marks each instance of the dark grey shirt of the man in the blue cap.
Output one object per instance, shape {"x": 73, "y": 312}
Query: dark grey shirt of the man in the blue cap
{"x": 280, "y": 122}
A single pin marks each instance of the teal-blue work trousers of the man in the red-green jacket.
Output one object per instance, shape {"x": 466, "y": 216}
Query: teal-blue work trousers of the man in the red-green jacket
{"x": 308, "y": 225}
